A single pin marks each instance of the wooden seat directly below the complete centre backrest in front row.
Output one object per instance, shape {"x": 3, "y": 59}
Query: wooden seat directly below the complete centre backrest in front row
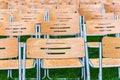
{"x": 61, "y": 63}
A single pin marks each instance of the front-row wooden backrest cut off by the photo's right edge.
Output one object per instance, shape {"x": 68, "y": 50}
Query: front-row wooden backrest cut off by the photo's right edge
{"x": 111, "y": 47}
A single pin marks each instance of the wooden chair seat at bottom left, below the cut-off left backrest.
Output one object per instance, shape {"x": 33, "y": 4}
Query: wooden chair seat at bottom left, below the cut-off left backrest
{"x": 13, "y": 64}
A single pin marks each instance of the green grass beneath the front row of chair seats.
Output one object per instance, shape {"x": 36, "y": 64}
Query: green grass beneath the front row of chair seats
{"x": 108, "y": 74}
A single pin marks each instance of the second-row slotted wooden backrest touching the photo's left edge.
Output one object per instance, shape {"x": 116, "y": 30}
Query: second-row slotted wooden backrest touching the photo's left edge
{"x": 17, "y": 28}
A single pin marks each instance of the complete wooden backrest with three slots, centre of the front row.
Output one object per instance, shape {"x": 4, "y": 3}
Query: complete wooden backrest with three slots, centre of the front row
{"x": 55, "y": 48}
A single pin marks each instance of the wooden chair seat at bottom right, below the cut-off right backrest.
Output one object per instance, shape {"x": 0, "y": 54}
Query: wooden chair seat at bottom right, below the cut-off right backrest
{"x": 106, "y": 62}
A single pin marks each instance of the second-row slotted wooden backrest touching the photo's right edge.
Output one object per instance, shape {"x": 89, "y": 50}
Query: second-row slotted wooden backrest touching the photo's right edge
{"x": 101, "y": 27}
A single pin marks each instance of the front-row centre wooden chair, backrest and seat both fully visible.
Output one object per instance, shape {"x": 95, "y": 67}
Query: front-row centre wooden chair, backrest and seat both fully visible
{"x": 56, "y": 53}
